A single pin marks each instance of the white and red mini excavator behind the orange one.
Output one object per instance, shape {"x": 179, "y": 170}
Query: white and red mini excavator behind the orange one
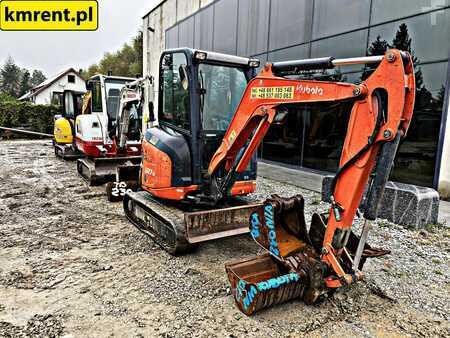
{"x": 110, "y": 136}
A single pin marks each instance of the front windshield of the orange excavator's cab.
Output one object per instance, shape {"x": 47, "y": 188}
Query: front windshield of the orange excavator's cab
{"x": 224, "y": 87}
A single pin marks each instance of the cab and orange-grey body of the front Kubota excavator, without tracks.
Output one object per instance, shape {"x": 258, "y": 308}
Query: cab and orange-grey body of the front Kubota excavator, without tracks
{"x": 198, "y": 94}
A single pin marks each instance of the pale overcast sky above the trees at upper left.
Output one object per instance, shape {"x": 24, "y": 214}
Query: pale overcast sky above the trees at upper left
{"x": 52, "y": 52}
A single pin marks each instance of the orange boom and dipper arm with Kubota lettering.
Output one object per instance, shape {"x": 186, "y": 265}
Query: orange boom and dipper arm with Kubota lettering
{"x": 381, "y": 114}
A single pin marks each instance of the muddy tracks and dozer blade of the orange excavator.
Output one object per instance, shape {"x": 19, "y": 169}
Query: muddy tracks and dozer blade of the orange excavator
{"x": 178, "y": 232}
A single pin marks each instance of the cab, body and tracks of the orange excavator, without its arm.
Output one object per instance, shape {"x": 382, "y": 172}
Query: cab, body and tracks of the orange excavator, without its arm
{"x": 199, "y": 93}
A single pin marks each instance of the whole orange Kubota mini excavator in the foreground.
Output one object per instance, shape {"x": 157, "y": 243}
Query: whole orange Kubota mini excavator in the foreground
{"x": 199, "y": 160}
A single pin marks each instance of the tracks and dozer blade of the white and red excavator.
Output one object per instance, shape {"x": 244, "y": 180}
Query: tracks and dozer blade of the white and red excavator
{"x": 97, "y": 171}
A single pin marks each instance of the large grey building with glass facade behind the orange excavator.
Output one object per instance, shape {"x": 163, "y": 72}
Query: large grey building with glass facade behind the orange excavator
{"x": 311, "y": 136}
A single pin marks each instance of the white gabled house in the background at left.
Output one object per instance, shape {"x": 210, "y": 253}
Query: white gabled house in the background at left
{"x": 51, "y": 90}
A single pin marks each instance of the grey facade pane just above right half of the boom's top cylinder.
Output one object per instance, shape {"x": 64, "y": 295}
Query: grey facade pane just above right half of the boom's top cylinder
{"x": 343, "y": 46}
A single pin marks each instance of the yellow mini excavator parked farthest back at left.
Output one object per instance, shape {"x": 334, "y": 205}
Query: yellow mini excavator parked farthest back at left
{"x": 64, "y": 125}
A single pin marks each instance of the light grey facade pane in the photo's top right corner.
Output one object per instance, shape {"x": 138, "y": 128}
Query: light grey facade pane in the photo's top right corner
{"x": 385, "y": 10}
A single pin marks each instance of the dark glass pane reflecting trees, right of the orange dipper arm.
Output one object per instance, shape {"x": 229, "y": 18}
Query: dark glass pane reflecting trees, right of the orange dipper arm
{"x": 415, "y": 161}
